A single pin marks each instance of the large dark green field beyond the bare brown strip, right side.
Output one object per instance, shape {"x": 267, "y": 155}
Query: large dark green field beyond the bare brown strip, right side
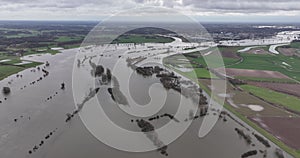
{"x": 252, "y": 61}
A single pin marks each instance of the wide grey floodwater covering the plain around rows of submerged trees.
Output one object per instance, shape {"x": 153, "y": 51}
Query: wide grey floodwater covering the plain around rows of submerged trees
{"x": 32, "y": 117}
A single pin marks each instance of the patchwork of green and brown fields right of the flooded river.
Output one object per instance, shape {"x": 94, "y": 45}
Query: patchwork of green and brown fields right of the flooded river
{"x": 269, "y": 91}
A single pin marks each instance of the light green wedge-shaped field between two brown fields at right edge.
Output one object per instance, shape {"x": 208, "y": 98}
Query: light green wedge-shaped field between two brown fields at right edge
{"x": 282, "y": 99}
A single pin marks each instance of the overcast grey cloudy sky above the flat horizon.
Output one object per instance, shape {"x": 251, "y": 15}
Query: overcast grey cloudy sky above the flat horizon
{"x": 203, "y": 10}
